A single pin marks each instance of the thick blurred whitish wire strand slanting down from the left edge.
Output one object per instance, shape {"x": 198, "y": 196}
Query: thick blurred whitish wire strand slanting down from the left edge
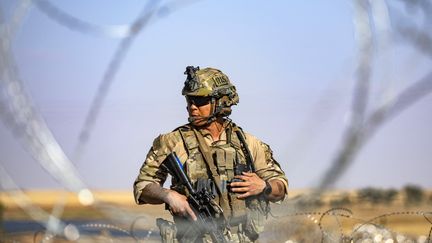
{"x": 19, "y": 113}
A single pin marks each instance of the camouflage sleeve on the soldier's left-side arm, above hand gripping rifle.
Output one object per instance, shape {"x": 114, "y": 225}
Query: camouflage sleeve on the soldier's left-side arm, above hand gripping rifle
{"x": 150, "y": 171}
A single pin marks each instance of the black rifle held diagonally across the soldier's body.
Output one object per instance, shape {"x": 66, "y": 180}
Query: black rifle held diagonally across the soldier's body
{"x": 200, "y": 200}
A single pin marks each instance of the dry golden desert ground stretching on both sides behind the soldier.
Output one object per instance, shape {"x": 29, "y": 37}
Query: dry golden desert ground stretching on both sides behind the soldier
{"x": 337, "y": 216}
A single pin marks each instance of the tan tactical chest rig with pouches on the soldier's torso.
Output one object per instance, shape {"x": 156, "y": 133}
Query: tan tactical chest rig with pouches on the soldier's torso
{"x": 229, "y": 160}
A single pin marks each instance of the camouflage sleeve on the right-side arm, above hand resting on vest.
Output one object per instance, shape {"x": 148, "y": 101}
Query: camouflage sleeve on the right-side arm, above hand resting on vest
{"x": 266, "y": 166}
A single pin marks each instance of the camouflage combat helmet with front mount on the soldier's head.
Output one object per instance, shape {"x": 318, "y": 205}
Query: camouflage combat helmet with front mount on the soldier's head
{"x": 211, "y": 82}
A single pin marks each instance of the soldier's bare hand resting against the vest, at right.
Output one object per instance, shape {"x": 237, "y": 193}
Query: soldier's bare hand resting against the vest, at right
{"x": 250, "y": 185}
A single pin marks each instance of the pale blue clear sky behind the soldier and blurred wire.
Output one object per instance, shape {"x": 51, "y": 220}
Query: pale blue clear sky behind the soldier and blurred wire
{"x": 293, "y": 63}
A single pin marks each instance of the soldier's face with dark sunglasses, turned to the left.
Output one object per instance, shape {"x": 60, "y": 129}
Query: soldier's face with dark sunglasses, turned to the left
{"x": 199, "y": 108}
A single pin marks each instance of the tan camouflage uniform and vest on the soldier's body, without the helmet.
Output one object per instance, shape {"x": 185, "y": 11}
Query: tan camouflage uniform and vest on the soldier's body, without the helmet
{"x": 226, "y": 150}
